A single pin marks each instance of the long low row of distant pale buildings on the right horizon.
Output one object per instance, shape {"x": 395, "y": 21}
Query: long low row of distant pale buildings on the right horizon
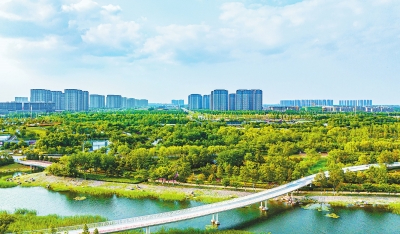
{"x": 325, "y": 102}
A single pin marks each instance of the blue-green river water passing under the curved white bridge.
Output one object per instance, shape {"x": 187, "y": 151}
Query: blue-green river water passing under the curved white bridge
{"x": 279, "y": 219}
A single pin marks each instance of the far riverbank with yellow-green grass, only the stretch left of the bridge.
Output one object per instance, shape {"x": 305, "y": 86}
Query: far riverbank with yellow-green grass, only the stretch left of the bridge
{"x": 92, "y": 187}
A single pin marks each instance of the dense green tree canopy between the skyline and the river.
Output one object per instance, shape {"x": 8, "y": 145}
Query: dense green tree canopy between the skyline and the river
{"x": 231, "y": 147}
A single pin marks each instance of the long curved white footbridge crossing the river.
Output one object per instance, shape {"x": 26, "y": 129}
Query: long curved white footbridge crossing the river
{"x": 148, "y": 221}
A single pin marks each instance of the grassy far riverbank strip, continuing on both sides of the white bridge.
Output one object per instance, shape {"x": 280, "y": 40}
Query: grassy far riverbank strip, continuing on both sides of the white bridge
{"x": 202, "y": 194}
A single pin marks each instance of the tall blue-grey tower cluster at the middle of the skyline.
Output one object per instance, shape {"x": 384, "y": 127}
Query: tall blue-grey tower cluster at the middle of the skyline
{"x": 222, "y": 100}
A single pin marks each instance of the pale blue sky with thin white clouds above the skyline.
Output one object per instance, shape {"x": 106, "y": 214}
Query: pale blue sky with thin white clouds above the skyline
{"x": 163, "y": 50}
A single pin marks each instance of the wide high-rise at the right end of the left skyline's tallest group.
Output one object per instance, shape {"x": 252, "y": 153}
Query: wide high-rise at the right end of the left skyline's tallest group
{"x": 76, "y": 100}
